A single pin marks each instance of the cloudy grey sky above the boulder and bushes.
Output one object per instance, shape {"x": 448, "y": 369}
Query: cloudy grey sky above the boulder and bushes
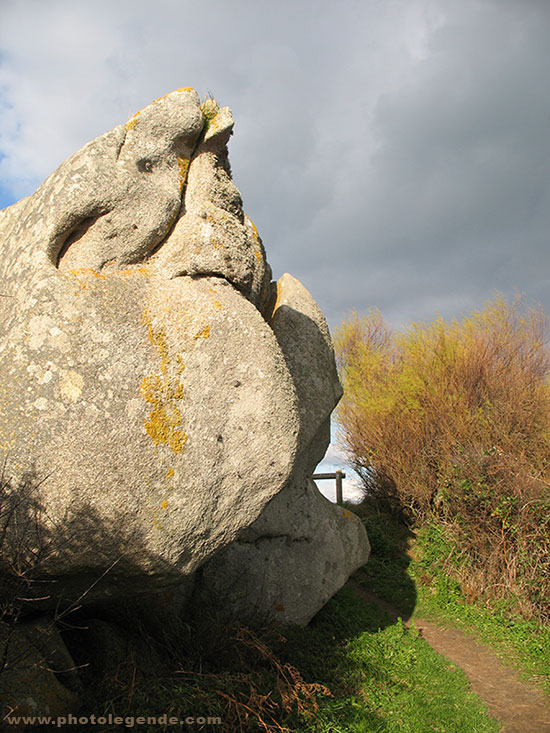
{"x": 393, "y": 154}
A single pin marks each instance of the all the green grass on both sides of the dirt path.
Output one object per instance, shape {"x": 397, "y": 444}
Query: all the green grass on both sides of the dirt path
{"x": 354, "y": 668}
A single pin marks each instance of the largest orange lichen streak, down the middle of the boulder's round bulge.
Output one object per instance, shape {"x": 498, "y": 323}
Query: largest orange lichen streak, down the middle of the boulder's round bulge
{"x": 164, "y": 393}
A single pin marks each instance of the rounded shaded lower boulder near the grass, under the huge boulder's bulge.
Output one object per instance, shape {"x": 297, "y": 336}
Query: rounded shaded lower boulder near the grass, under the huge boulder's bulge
{"x": 286, "y": 566}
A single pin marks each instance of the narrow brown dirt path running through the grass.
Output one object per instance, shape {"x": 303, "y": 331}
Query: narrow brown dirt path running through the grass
{"x": 521, "y": 708}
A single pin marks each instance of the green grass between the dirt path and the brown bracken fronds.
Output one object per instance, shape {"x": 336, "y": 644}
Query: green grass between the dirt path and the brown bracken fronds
{"x": 384, "y": 677}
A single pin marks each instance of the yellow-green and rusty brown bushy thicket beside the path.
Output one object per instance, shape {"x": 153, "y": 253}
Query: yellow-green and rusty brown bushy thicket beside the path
{"x": 450, "y": 423}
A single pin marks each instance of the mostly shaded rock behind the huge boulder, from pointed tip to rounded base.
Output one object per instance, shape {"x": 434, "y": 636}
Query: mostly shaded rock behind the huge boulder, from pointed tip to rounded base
{"x": 302, "y": 549}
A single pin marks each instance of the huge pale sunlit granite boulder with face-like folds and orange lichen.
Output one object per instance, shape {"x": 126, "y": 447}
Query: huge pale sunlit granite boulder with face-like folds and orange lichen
{"x": 152, "y": 377}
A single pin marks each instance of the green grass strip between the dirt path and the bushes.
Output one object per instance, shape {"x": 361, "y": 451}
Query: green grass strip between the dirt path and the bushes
{"x": 423, "y": 586}
